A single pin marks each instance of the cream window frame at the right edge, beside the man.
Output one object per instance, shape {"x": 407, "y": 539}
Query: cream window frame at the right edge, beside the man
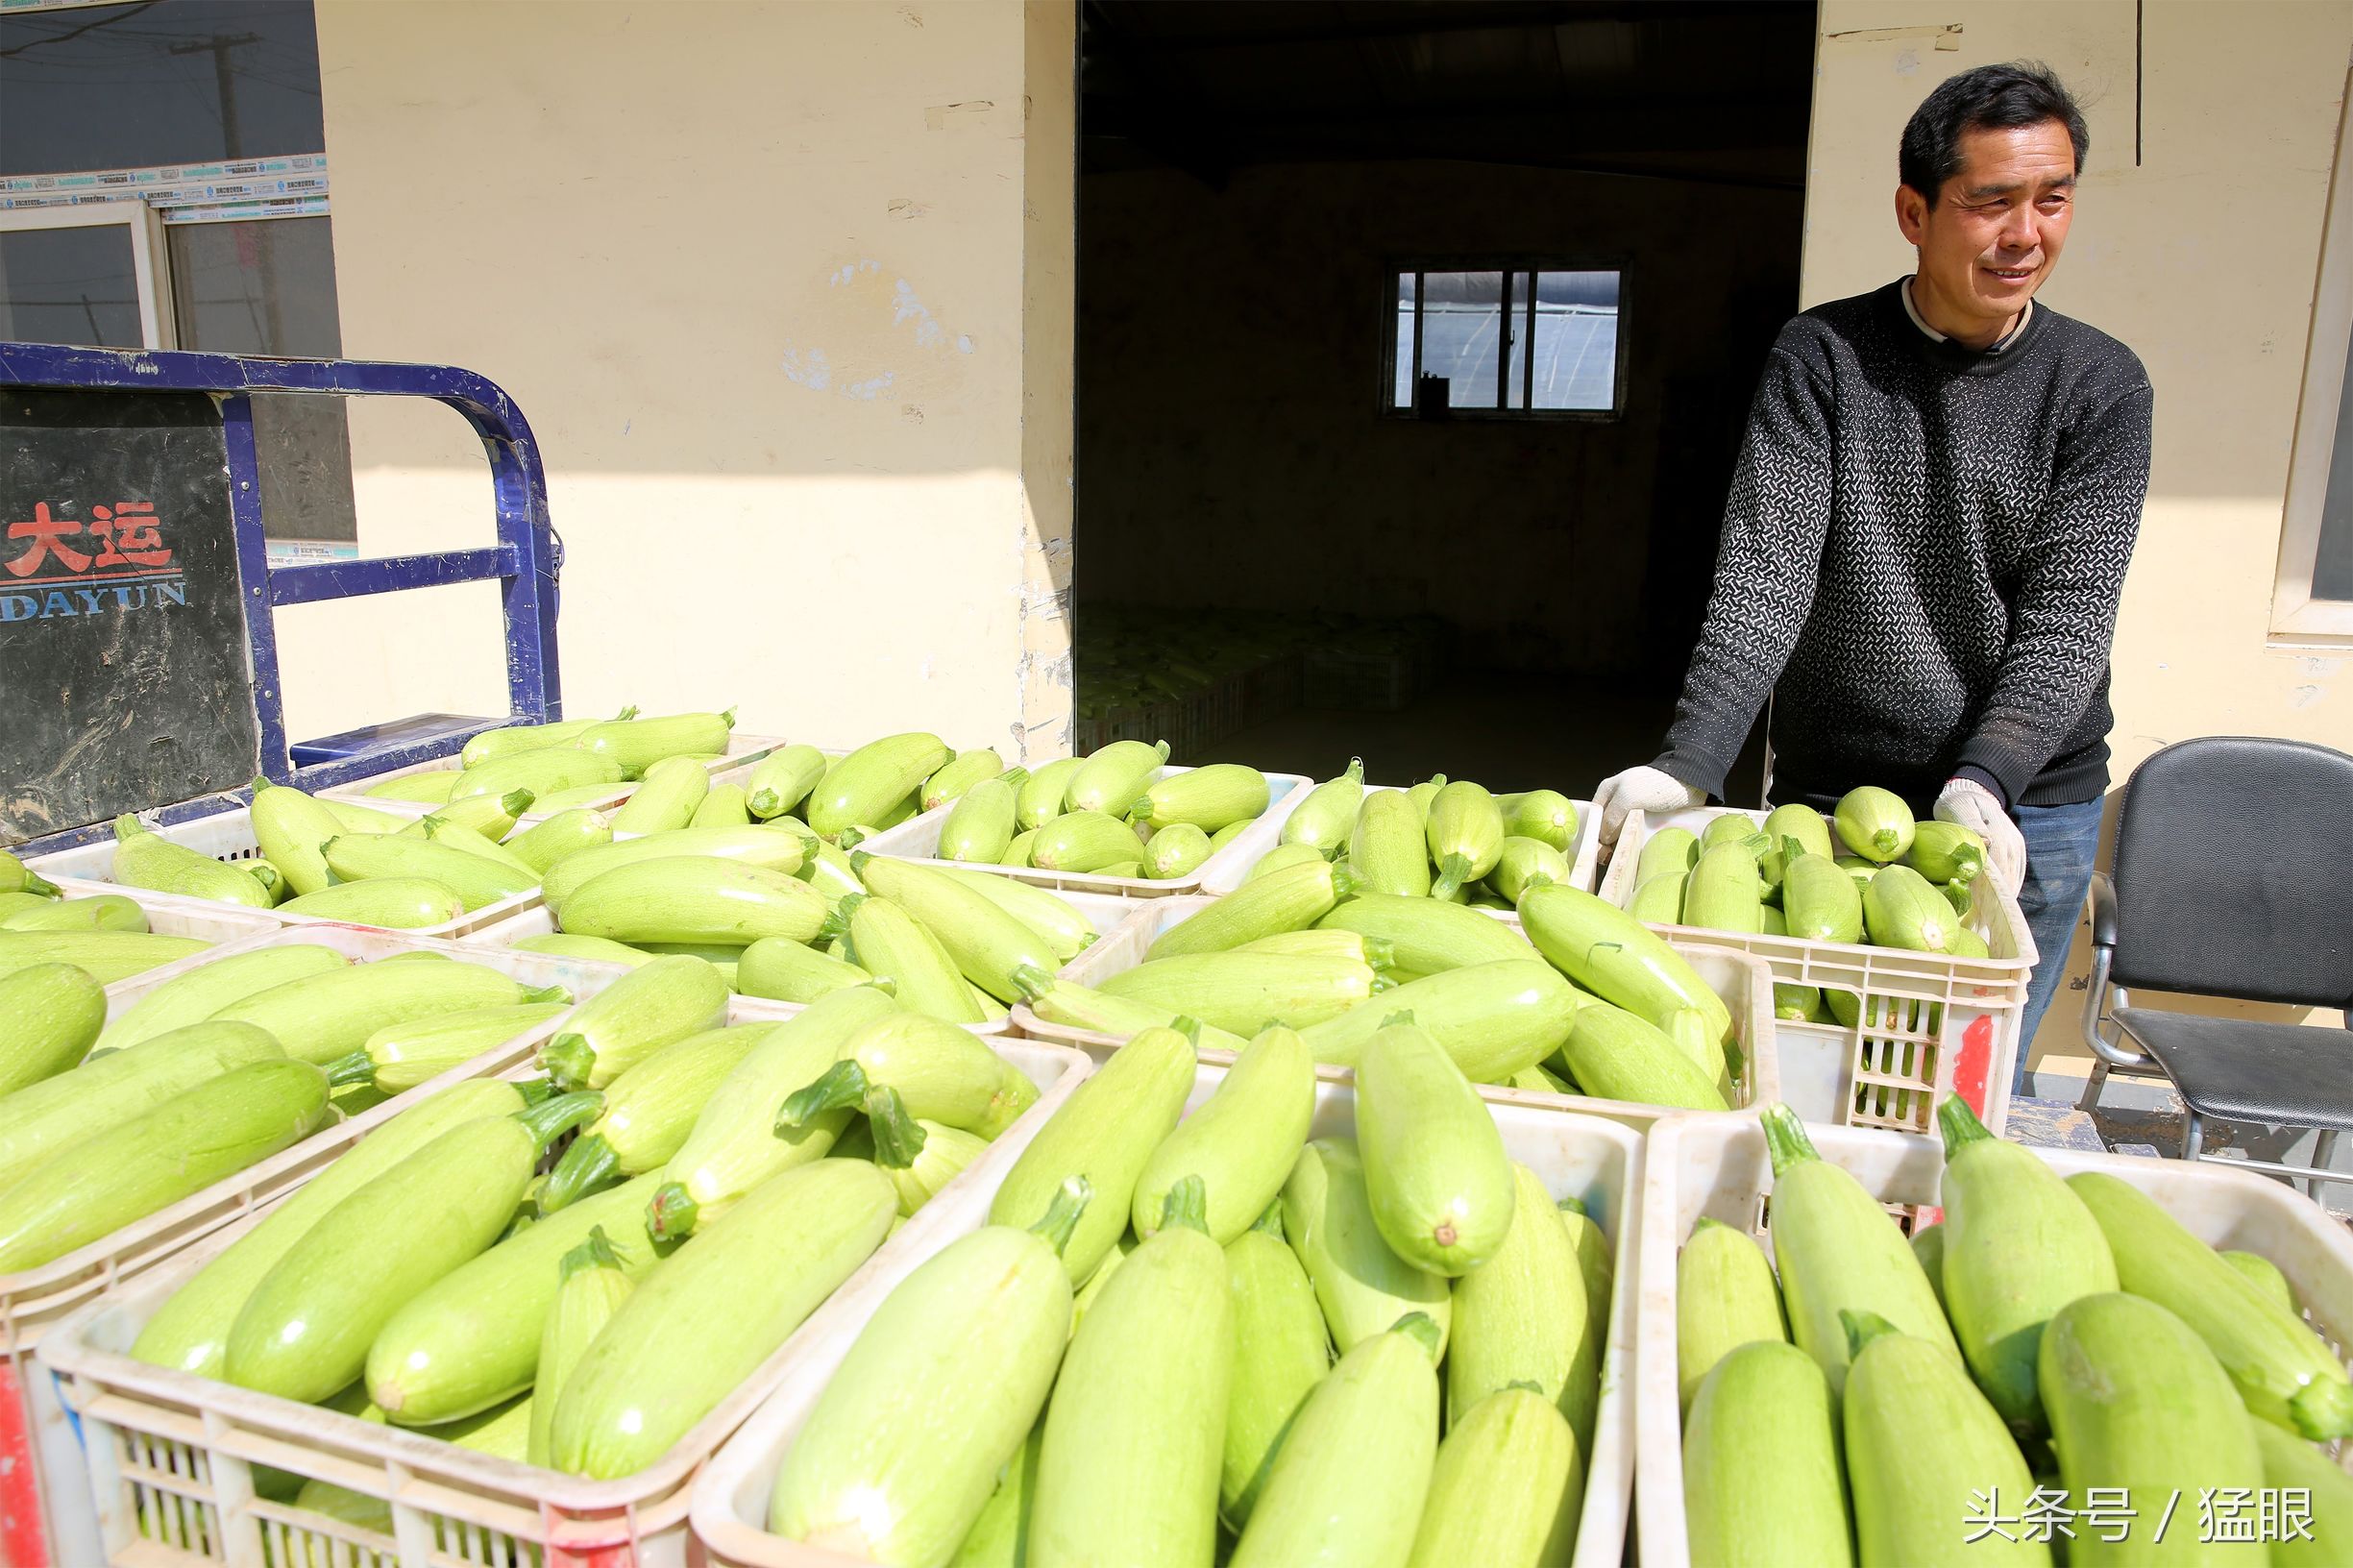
{"x": 2314, "y": 597}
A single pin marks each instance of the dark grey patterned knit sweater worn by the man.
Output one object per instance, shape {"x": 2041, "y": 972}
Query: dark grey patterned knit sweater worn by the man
{"x": 1921, "y": 562}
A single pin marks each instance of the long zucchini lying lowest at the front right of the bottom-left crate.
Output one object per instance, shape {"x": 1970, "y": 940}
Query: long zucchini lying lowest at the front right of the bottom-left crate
{"x": 705, "y": 1322}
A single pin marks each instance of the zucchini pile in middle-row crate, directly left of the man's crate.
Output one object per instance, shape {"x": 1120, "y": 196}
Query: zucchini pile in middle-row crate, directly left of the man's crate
{"x": 1585, "y": 1004}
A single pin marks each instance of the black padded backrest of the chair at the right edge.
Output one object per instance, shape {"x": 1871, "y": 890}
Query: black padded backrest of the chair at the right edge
{"x": 2234, "y": 872}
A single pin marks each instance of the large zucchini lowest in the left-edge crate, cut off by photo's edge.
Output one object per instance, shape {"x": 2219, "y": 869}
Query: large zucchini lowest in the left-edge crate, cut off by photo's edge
{"x": 152, "y": 1162}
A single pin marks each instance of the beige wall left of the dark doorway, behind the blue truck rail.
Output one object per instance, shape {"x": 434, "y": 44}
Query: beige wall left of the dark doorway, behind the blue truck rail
{"x": 785, "y": 293}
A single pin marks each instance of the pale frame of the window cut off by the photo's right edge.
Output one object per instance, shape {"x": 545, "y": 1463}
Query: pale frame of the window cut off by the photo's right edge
{"x": 2328, "y": 383}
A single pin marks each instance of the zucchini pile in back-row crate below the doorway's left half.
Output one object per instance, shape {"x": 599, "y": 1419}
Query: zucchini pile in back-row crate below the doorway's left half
{"x": 1098, "y": 816}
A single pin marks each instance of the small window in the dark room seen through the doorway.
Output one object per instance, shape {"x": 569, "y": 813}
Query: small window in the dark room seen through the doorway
{"x": 1505, "y": 343}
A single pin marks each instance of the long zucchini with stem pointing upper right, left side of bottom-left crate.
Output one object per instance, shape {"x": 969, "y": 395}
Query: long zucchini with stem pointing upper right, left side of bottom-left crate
{"x": 307, "y": 1327}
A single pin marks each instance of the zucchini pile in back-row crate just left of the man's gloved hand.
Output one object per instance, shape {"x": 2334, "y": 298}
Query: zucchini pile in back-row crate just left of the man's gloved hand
{"x": 1439, "y": 839}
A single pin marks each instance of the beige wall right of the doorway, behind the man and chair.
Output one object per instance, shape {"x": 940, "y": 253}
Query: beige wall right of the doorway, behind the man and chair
{"x": 2204, "y": 260}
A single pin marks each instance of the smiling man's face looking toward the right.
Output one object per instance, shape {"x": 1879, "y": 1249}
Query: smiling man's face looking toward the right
{"x": 1994, "y": 234}
